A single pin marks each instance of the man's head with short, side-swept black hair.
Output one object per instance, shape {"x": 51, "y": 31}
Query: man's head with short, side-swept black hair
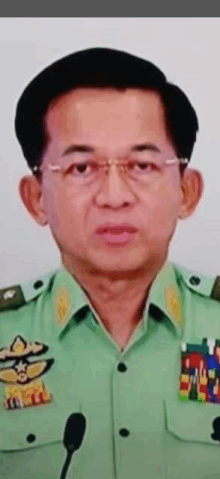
{"x": 105, "y": 104}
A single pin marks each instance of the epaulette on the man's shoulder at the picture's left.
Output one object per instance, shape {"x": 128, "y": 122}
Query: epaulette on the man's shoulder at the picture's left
{"x": 20, "y": 294}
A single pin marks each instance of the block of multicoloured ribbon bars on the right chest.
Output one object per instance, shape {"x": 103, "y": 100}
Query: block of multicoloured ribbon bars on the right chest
{"x": 200, "y": 372}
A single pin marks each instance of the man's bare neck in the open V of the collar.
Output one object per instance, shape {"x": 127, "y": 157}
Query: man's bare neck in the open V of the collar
{"x": 119, "y": 300}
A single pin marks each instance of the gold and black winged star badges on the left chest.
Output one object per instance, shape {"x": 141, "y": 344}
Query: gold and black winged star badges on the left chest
{"x": 23, "y": 386}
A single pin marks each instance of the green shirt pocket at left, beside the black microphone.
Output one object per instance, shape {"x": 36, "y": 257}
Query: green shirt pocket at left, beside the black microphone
{"x": 31, "y": 445}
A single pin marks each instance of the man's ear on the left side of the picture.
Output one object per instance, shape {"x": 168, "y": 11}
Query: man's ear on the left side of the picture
{"x": 31, "y": 195}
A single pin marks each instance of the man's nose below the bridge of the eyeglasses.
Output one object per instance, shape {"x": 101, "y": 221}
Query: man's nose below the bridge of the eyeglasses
{"x": 114, "y": 191}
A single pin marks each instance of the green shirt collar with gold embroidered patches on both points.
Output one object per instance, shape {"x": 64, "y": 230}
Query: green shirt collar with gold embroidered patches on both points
{"x": 68, "y": 298}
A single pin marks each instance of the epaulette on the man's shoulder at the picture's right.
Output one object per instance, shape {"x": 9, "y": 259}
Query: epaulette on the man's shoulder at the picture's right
{"x": 203, "y": 284}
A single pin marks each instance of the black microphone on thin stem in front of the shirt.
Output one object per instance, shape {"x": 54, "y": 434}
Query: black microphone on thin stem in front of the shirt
{"x": 73, "y": 436}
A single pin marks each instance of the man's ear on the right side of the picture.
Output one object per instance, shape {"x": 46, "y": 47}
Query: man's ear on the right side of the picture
{"x": 192, "y": 186}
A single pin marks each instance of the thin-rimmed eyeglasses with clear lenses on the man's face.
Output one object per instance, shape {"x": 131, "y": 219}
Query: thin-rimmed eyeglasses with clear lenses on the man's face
{"x": 82, "y": 173}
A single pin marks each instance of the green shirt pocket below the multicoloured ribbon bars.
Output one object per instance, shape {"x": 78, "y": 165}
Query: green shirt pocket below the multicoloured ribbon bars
{"x": 189, "y": 448}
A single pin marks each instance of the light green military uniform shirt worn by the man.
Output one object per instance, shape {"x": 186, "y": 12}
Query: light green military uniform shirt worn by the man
{"x": 56, "y": 358}
